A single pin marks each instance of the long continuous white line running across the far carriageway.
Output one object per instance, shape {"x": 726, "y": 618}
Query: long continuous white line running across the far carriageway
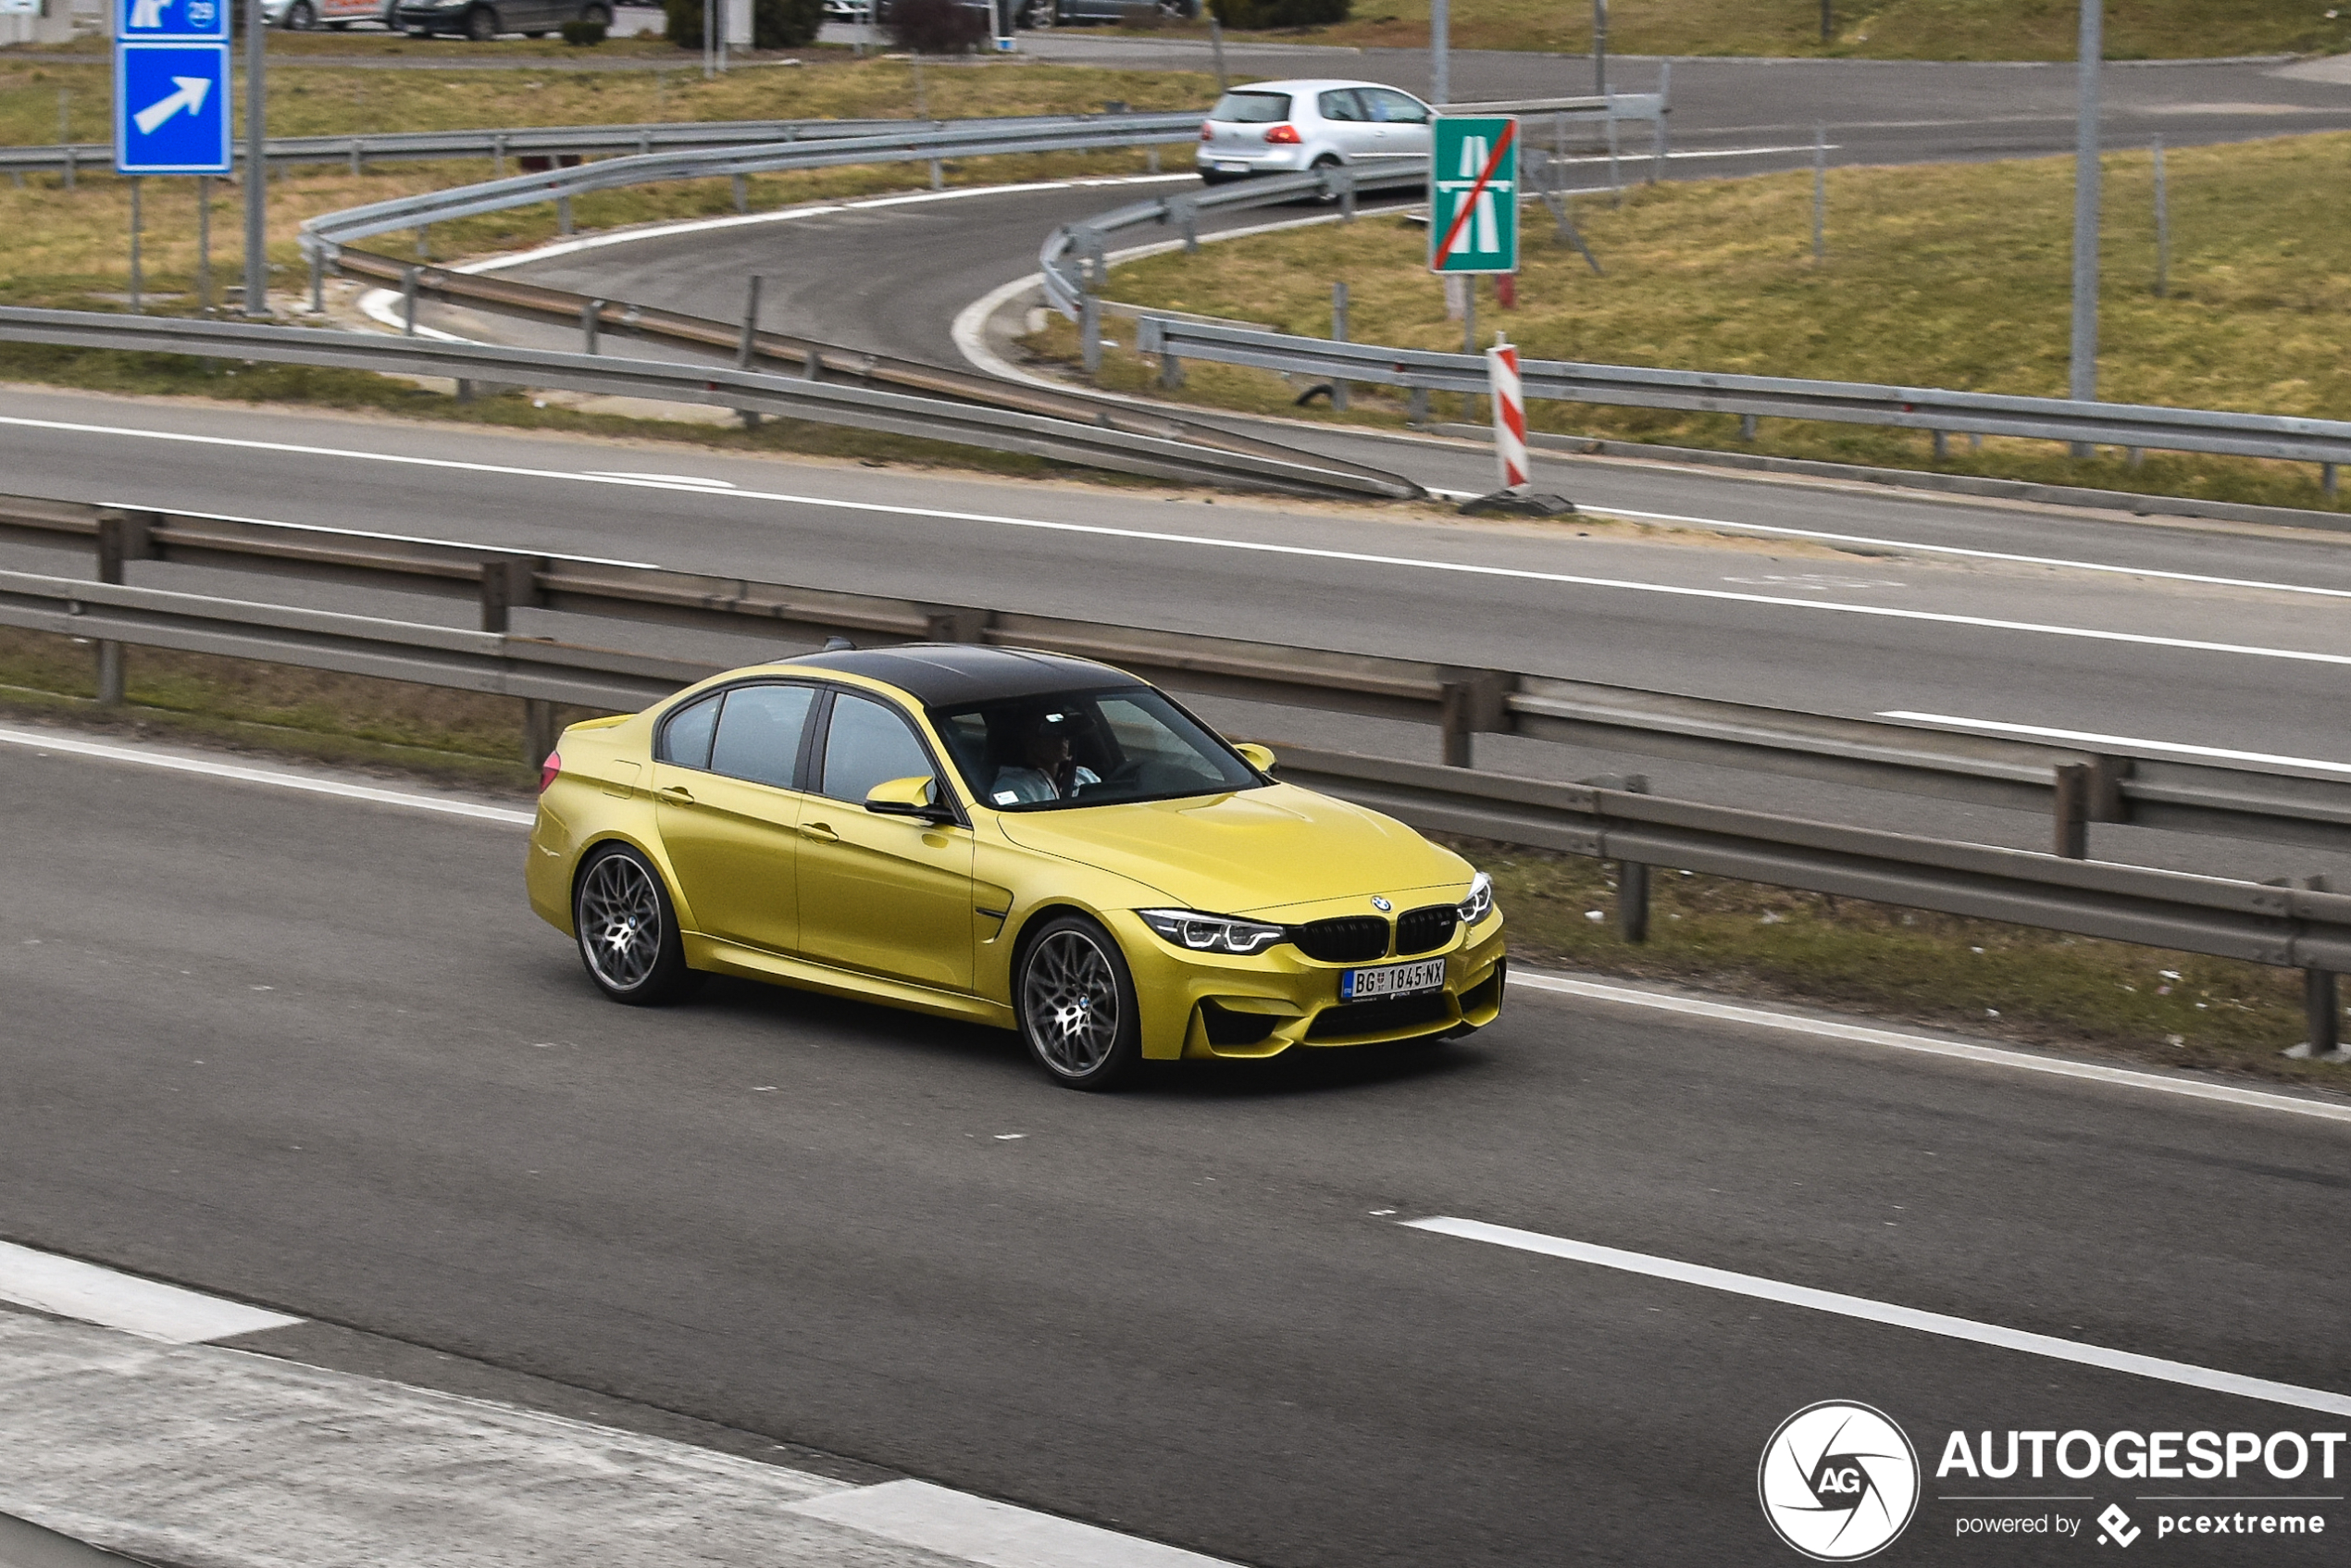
{"x": 1259, "y": 547}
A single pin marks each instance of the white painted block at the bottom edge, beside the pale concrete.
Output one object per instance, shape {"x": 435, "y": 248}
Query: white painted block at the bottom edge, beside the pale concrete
{"x": 984, "y": 1532}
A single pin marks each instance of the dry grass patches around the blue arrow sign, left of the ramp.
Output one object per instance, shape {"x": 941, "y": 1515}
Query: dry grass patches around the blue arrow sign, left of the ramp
{"x": 72, "y": 248}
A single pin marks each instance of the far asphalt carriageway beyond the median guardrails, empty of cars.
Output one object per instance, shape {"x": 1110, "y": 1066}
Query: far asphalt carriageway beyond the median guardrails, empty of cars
{"x": 1851, "y": 631}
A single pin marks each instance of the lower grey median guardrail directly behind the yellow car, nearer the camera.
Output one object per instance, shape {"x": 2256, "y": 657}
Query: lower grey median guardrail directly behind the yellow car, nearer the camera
{"x": 2235, "y": 920}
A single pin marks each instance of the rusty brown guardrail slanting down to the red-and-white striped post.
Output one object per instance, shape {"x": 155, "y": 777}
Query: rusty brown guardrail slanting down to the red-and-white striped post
{"x": 810, "y": 359}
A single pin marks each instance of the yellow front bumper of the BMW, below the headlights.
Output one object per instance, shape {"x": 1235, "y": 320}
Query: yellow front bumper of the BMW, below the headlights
{"x": 1250, "y": 1007}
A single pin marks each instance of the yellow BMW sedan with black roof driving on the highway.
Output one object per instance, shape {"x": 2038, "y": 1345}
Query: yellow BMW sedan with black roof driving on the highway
{"x": 1014, "y": 838}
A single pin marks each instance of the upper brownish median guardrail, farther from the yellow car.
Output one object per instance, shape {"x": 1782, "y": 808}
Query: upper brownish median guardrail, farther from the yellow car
{"x": 2072, "y": 786}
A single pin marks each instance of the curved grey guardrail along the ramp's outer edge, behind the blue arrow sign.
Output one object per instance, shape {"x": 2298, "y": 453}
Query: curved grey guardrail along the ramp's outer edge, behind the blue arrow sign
{"x": 330, "y": 232}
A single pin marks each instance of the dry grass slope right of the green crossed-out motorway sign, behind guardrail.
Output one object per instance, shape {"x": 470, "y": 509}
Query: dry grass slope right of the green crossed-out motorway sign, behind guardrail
{"x": 1950, "y": 276}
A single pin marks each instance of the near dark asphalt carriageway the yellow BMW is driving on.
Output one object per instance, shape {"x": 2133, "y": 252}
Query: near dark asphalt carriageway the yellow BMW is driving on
{"x": 319, "y": 1054}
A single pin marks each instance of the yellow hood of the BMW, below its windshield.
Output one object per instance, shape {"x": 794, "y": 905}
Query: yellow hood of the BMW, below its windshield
{"x": 1247, "y": 852}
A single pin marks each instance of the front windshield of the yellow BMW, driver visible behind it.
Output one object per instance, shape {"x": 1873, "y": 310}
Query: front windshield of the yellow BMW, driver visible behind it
{"x": 1087, "y": 749}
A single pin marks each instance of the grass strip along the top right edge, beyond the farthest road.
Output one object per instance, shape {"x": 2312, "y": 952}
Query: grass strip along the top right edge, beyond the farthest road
{"x": 1866, "y": 29}
